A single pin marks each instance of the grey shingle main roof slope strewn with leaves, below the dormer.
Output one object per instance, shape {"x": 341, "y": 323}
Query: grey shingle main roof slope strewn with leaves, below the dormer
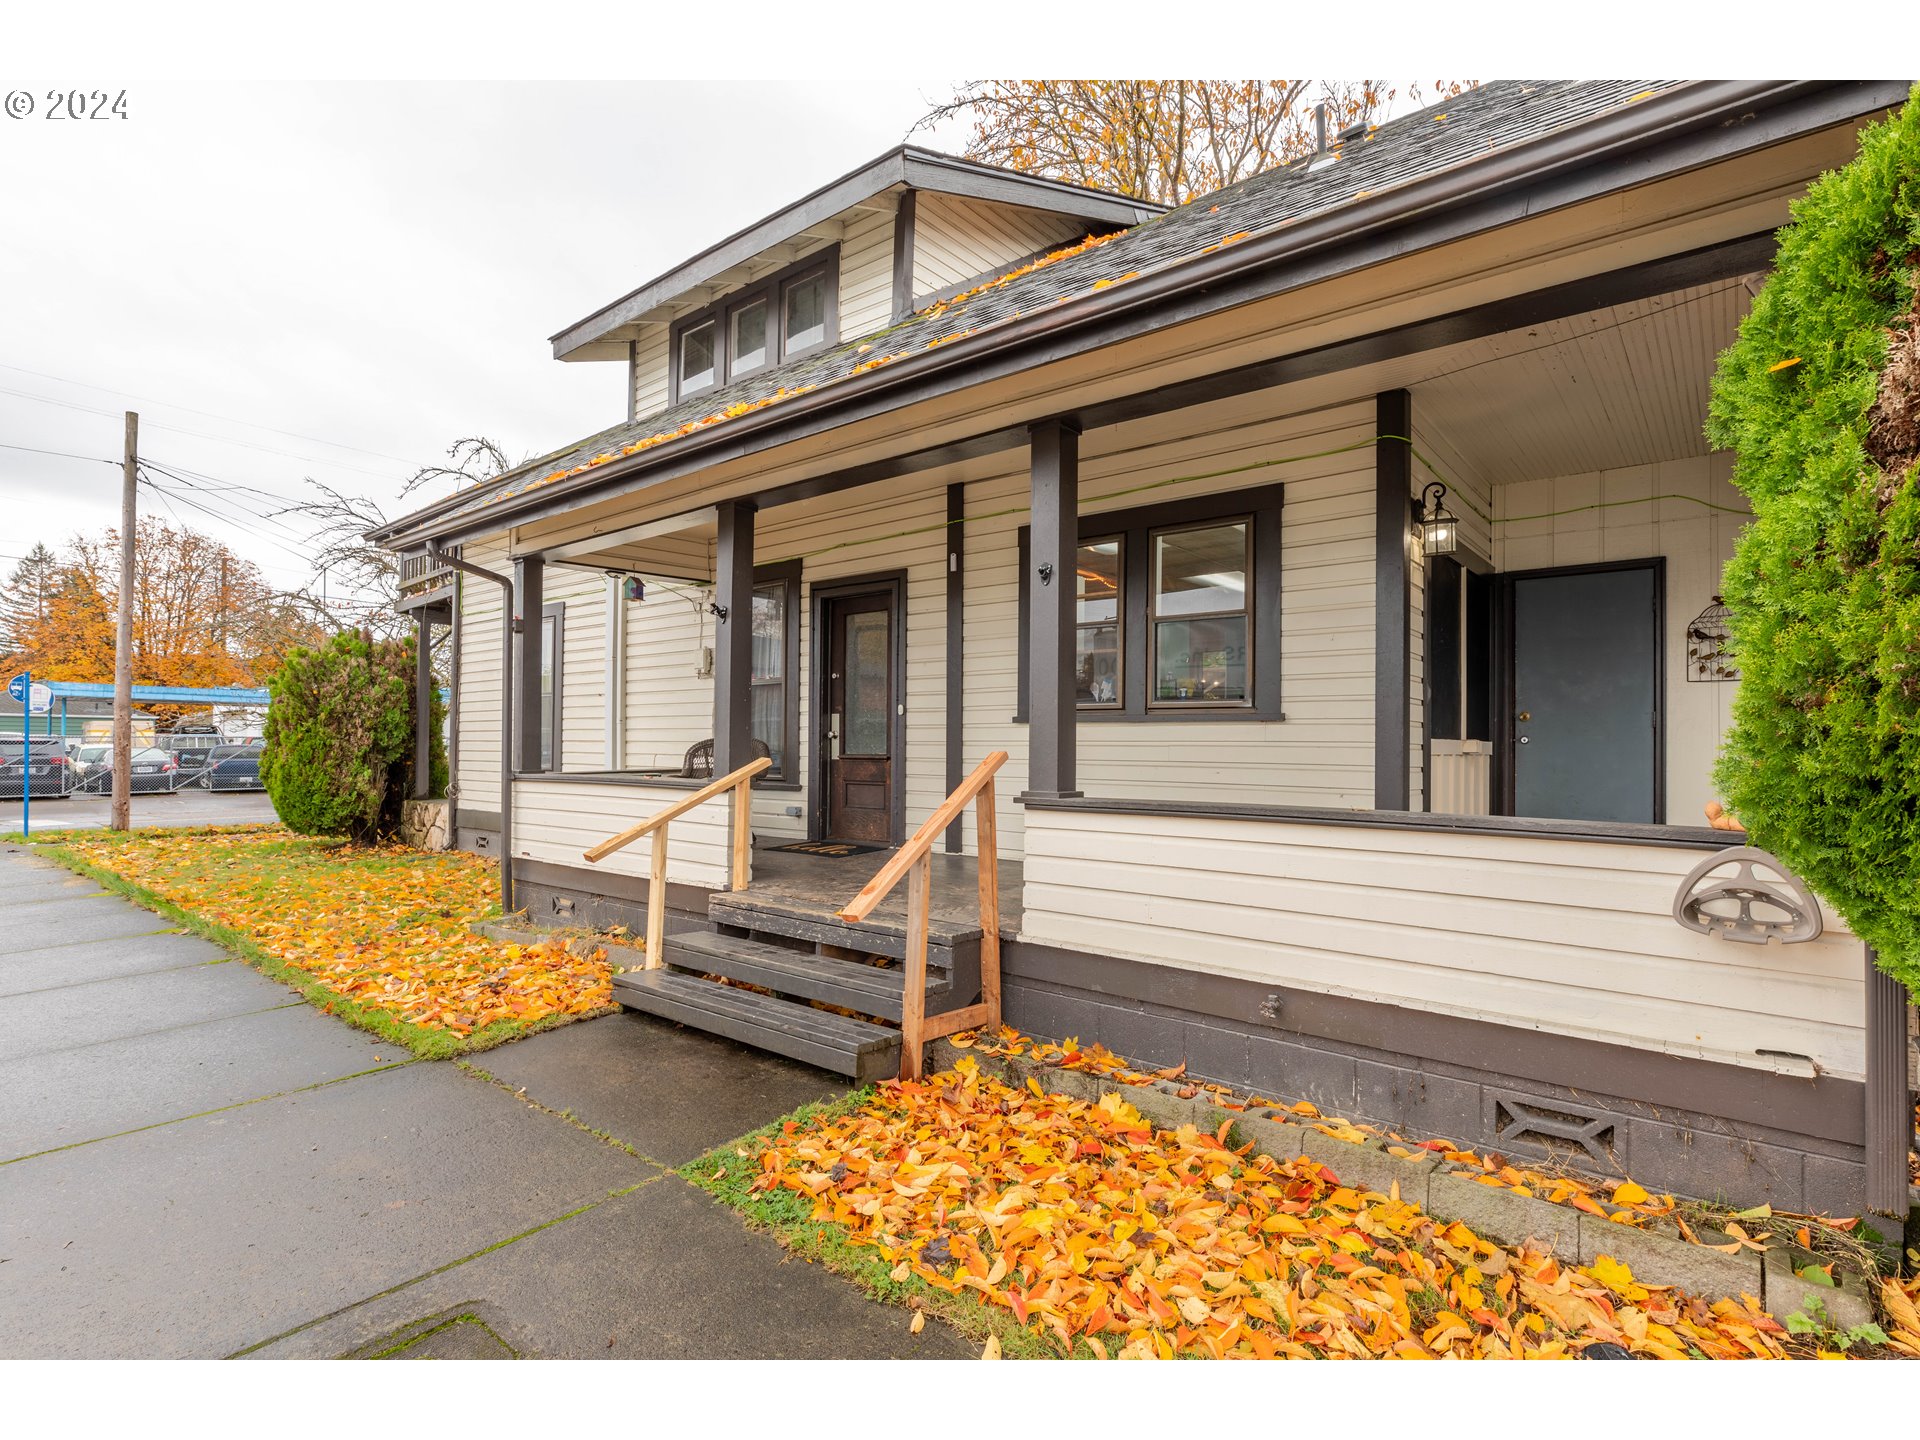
{"x": 1460, "y": 132}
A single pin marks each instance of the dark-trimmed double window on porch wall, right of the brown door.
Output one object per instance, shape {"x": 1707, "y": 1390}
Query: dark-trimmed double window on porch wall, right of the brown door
{"x": 1178, "y": 612}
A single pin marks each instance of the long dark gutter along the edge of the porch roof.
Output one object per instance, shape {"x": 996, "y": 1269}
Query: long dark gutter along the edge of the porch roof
{"x": 1197, "y": 287}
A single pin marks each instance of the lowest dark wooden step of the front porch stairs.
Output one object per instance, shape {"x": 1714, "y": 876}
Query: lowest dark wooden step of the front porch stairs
{"x": 846, "y": 1047}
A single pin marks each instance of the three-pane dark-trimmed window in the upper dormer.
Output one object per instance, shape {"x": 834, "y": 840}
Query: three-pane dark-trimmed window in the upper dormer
{"x": 782, "y": 297}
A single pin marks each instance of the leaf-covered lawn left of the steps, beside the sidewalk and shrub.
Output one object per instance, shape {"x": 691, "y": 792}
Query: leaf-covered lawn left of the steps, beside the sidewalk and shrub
{"x": 383, "y": 934}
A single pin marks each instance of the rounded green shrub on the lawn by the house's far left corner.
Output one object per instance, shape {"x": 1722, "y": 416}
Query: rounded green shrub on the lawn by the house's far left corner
{"x": 339, "y": 756}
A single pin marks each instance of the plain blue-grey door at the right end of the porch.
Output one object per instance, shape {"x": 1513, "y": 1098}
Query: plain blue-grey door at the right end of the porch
{"x": 1585, "y": 740}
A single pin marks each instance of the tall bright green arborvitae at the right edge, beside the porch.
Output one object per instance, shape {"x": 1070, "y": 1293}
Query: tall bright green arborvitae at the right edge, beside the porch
{"x": 1821, "y": 404}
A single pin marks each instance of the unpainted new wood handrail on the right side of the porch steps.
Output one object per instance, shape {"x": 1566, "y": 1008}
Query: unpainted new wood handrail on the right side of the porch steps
{"x": 915, "y": 863}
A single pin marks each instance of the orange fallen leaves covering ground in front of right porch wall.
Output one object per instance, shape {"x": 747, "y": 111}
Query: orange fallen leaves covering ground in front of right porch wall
{"x": 1105, "y": 1237}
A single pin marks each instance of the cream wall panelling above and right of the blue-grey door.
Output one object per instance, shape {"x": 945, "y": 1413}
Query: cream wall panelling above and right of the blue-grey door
{"x": 1683, "y": 510}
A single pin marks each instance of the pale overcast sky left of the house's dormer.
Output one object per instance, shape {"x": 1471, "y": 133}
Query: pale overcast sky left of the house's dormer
{"x": 343, "y": 279}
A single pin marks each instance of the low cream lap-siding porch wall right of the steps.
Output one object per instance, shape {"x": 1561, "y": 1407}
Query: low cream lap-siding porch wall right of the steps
{"x": 1558, "y": 936}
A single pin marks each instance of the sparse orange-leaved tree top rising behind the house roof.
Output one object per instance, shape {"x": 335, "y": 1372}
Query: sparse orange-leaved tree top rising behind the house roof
{"x": 1164, "y": 141}
